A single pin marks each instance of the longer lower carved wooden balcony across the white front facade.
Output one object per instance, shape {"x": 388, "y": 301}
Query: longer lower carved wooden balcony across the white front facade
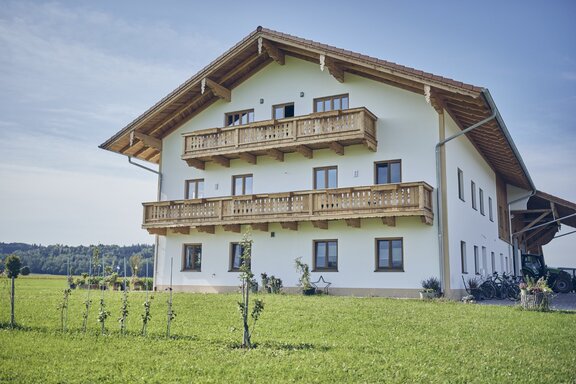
{"x": 387, "y": 202}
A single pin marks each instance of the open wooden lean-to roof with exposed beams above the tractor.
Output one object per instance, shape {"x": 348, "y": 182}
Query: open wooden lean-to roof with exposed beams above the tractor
{"x": 537, "y": 225}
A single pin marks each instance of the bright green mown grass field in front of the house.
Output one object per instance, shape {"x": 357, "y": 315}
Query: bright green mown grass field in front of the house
{"x": 299, "y": 339}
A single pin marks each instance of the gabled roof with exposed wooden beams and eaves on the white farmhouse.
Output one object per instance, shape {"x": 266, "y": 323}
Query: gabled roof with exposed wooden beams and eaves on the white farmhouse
{"x": 467, "y": 104}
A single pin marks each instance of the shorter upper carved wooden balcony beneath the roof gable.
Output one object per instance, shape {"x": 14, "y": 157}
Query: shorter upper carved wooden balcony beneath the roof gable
{"x": 303, "y": 134}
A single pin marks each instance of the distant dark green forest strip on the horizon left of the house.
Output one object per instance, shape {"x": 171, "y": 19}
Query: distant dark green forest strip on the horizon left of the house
{"x": 54, "y": 259}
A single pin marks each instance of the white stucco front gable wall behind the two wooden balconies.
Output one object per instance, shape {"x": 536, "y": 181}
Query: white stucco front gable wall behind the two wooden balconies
{"x": 407, "y": 129}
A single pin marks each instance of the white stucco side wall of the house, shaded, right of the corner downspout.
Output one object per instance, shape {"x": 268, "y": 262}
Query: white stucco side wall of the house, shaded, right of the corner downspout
{"x": 464, "y": 222}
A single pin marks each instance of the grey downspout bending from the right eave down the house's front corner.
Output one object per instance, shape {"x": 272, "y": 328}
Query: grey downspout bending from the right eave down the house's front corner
{"x": 440, "y": 192}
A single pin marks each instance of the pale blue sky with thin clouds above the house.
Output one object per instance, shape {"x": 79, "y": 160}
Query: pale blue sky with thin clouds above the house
{"x": 73, "y": 73}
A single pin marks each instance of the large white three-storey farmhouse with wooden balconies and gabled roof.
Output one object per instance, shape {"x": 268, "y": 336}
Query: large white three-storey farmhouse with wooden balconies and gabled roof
{"x": 376, "y": 174}
